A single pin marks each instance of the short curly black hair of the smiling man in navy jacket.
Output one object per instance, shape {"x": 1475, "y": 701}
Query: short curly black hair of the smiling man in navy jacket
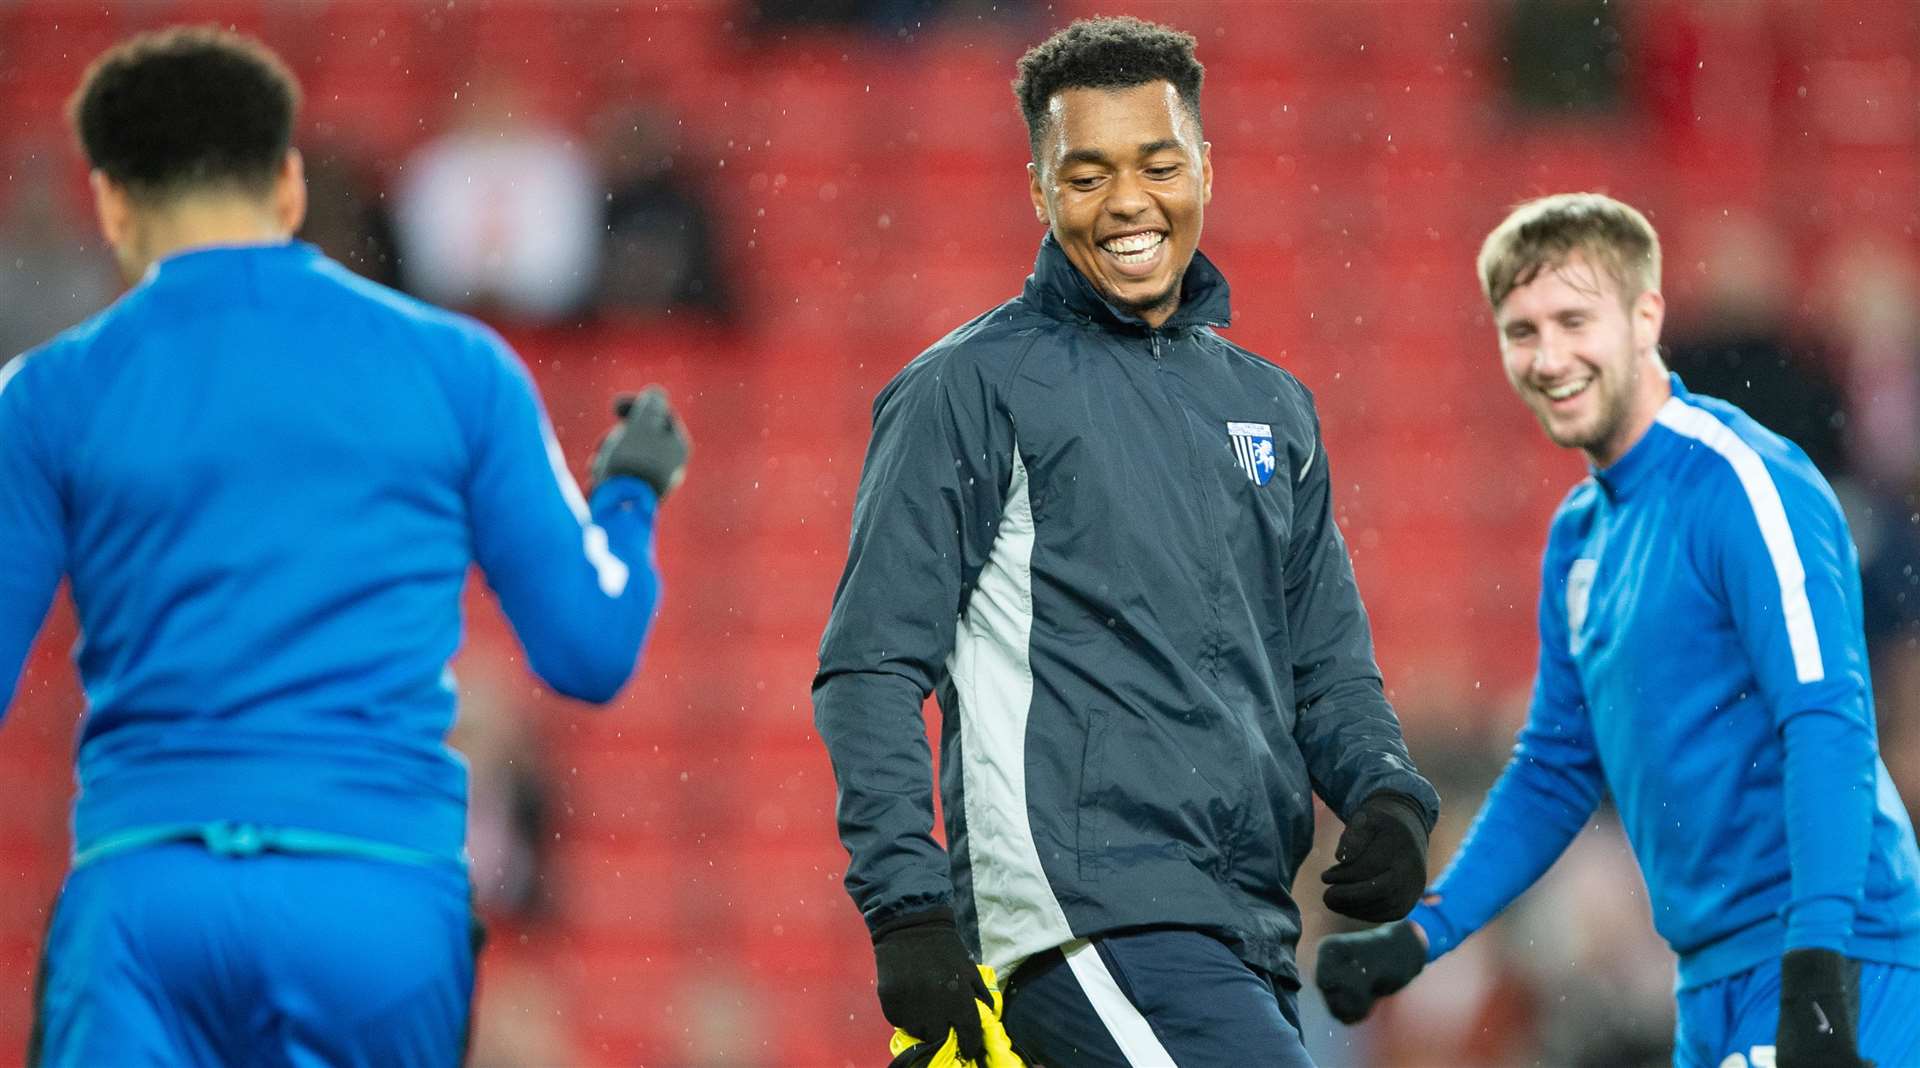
{"x": 1115, "y": 53}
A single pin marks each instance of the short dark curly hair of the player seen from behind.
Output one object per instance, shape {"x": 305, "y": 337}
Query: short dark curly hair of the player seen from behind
{"x": 183, "y": 110}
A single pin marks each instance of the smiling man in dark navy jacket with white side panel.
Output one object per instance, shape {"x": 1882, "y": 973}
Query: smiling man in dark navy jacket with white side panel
{"x": 1105, "y": 537}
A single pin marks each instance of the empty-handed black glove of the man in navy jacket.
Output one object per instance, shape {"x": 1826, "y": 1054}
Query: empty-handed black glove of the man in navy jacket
{"x": 1381, "y": 862}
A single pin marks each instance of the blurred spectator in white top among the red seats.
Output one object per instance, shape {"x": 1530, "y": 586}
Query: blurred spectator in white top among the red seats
{"x": 502, "y": 214}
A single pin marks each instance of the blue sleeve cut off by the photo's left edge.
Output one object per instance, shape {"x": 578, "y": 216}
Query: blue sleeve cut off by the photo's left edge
{"x": 32, "y": 527}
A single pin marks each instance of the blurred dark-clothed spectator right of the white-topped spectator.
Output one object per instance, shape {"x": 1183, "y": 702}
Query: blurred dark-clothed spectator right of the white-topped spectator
{"x": 660, "y": 239}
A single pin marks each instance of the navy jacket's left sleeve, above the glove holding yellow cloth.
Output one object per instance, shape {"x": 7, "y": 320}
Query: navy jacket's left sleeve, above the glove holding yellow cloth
{"x": 924, "y": 523}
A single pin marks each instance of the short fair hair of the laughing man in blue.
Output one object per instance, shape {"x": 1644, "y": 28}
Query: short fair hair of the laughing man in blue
{"x": 1543, "y": 233}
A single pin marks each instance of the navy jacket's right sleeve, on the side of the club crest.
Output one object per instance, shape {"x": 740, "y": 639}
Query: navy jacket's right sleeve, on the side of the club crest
{"x": 1345, "y": 727}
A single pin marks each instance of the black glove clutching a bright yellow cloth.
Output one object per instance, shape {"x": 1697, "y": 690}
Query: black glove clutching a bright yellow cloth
{"x": 928, "y": 983}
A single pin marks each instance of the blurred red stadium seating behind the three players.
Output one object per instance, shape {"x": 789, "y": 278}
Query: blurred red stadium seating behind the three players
{"x": 871, "y": 195}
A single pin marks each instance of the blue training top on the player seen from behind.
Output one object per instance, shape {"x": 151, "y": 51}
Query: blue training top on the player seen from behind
{"x": 268, "y": 479}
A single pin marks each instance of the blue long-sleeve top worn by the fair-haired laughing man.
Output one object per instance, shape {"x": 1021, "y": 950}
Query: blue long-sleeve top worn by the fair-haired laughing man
{"x": 1702, "y": 662}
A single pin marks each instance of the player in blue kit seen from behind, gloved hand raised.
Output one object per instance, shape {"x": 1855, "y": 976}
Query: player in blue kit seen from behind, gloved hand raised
{"x": 268, "y": 481}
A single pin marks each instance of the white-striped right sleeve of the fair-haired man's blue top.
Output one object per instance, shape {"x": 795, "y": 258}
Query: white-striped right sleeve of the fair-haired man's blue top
{"x": 1783, "y": 554}
